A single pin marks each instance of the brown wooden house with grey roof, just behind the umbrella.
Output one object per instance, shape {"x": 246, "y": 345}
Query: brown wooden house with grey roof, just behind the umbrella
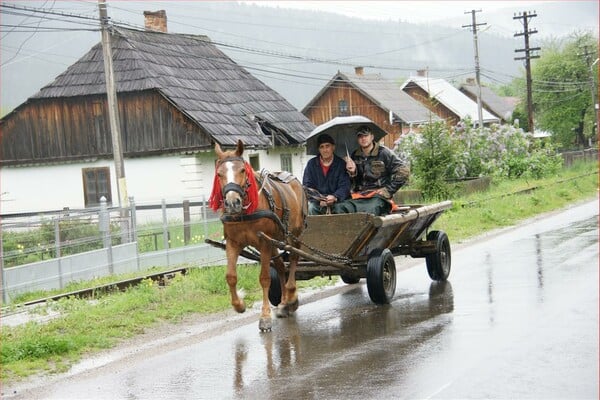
{"x": 370, "y": 95}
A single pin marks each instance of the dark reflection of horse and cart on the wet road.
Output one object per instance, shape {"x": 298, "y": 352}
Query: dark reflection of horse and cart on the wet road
{"x": 320, "y": 346}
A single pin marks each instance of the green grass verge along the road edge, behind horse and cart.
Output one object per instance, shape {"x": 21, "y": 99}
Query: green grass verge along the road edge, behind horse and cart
{"x": 85, "y": 327}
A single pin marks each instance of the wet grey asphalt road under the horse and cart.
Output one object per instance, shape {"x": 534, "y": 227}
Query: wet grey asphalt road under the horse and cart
{"x": 518, "y": 319}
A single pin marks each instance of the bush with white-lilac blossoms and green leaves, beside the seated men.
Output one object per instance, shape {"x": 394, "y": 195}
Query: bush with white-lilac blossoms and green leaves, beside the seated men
{"x": 439, "y": 154}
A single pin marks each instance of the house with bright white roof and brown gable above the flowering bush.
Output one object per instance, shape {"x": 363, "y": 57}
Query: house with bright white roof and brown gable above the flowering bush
{"x": 445, "y": 100}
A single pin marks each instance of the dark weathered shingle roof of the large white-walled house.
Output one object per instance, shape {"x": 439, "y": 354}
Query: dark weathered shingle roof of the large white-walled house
{"x": 196, "y": 77}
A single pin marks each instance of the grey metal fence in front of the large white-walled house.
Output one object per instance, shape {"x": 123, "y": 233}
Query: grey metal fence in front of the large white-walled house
{"x": 43, "y": 251}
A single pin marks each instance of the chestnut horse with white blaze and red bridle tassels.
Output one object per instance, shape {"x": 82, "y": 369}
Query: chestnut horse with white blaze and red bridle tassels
{"x": 278, "y": 209}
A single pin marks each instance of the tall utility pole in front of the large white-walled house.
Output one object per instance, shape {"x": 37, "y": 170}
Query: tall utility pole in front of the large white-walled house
{"x": 113, "y": 106}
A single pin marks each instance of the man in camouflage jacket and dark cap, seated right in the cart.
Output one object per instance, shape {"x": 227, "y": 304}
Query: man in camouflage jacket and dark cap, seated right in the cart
{"x": 377, "y": 173}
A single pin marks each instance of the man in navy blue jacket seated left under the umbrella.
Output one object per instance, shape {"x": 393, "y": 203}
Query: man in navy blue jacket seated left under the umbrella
{"x": 326, "y": 179}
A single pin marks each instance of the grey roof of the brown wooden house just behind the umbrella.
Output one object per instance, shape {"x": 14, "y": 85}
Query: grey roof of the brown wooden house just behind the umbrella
{"x": 385, "y": 94}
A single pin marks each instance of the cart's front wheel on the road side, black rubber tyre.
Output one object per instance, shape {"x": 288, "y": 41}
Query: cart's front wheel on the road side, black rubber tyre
{"x": 381, "y": 276}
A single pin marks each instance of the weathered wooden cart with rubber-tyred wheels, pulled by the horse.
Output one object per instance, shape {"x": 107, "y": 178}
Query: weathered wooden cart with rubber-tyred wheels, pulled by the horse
{"x": 360, "y": 245}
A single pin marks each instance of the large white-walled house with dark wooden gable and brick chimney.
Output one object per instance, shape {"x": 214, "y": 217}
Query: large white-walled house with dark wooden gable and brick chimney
{"x": 177, "y": 96}
